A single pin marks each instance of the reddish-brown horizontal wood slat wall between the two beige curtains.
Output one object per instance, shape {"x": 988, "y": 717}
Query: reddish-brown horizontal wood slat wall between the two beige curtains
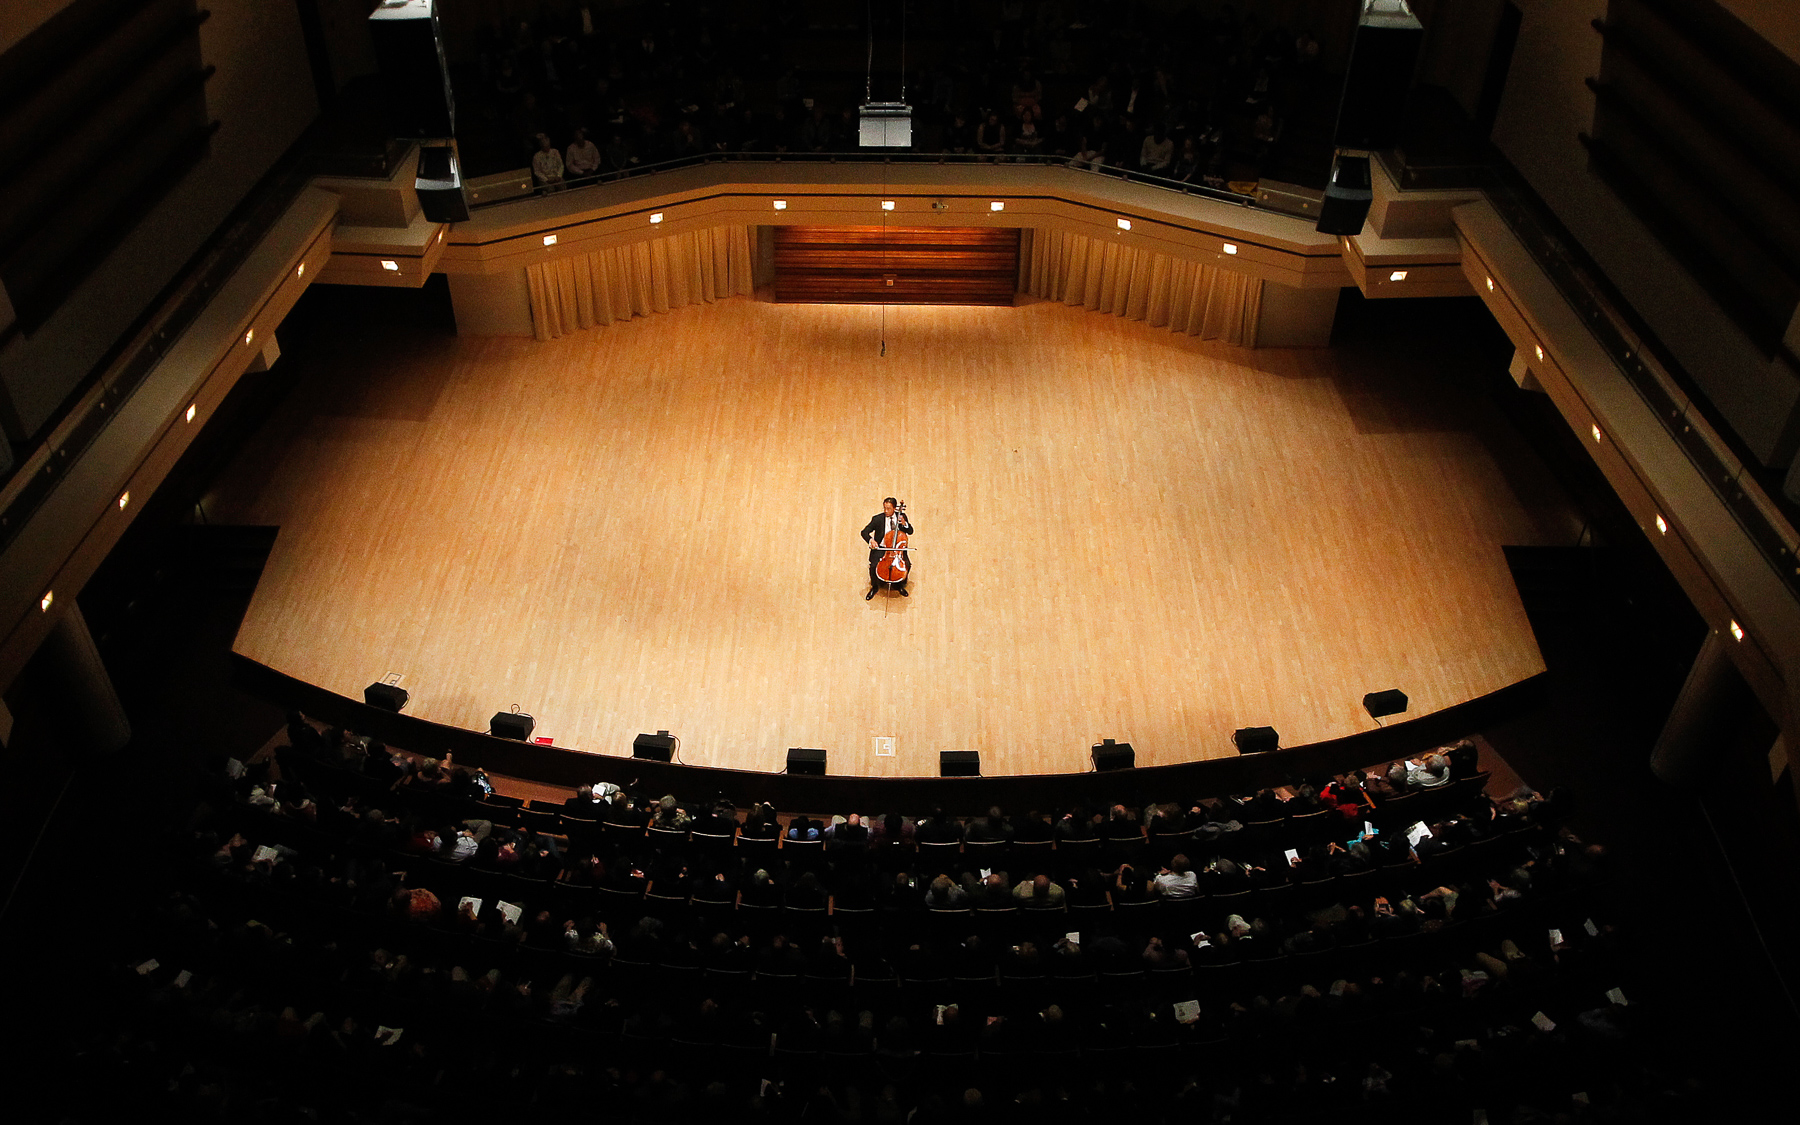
{"x": 897, "y": 265}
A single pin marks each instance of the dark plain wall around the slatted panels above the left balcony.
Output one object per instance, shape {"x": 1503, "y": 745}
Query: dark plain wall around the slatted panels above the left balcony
{"x": 262, "y": 94}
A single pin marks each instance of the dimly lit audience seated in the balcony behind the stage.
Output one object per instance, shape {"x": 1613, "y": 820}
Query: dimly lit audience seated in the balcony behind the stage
{"x": 665, "y": 87}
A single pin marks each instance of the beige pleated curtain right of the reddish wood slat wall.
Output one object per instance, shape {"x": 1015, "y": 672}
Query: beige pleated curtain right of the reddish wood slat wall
{"x": 1142, "y": 285}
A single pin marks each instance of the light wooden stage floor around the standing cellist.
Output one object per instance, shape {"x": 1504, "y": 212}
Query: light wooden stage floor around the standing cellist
{"x": 1122, "y": 534}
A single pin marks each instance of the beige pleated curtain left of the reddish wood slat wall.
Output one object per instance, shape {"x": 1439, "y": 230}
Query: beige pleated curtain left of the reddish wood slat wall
{"x": 654, "y": 276}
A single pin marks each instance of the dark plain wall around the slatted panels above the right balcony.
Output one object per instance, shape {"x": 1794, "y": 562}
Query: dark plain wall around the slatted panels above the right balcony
{"x": 1547, "y": 107}
